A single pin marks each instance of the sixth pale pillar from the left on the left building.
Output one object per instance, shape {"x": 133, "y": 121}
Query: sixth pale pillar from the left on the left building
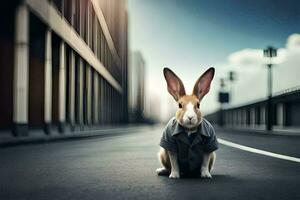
{"x": 89, "y": 94}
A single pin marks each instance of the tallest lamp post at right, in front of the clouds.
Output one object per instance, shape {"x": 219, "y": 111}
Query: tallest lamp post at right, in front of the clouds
{"x": 269, "y": 52}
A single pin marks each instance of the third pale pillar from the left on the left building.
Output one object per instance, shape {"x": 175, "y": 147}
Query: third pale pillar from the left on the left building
{"x": 62, "y": 88}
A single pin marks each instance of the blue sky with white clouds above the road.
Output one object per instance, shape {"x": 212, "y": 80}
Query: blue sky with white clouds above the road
{"x": 189, "y": 36}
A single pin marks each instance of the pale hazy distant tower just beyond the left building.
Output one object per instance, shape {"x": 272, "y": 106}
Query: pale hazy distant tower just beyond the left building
{"x": 137, "y": 87}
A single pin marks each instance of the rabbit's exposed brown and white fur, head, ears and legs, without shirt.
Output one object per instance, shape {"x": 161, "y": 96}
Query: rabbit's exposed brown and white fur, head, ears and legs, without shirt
{"x": 189, "y": 116}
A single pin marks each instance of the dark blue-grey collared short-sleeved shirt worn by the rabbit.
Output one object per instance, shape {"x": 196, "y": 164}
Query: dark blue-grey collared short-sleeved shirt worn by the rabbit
{"x": 189, "y": 149}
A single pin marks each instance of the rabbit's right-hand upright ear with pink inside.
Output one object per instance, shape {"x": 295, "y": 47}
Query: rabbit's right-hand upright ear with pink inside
{"x": 202, "y": 85}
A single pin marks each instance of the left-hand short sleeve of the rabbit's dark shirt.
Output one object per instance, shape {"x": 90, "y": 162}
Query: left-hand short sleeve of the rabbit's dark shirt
{"x": 167, "y": 141}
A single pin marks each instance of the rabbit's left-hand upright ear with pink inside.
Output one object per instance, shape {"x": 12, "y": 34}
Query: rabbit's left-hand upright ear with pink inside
{"x": 175, "y": 85}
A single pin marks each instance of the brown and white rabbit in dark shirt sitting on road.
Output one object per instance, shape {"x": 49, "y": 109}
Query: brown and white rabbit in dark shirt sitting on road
{"x": 188, "y": 121}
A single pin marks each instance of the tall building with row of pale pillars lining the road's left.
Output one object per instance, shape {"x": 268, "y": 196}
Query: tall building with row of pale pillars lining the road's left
{"x": 63, "y": 63}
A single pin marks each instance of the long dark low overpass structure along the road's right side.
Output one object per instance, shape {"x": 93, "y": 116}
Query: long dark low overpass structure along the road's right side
{"x": 284, "y": 108}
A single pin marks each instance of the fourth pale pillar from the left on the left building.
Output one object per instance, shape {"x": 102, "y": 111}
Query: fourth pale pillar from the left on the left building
{"x": 72, "y": 89}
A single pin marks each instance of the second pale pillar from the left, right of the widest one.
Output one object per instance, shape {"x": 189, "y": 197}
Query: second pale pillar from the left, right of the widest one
{"x": 48, "y": 82}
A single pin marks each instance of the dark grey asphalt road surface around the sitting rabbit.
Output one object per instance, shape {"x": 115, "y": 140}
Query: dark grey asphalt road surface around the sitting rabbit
{"x": 123, "y": 167}
